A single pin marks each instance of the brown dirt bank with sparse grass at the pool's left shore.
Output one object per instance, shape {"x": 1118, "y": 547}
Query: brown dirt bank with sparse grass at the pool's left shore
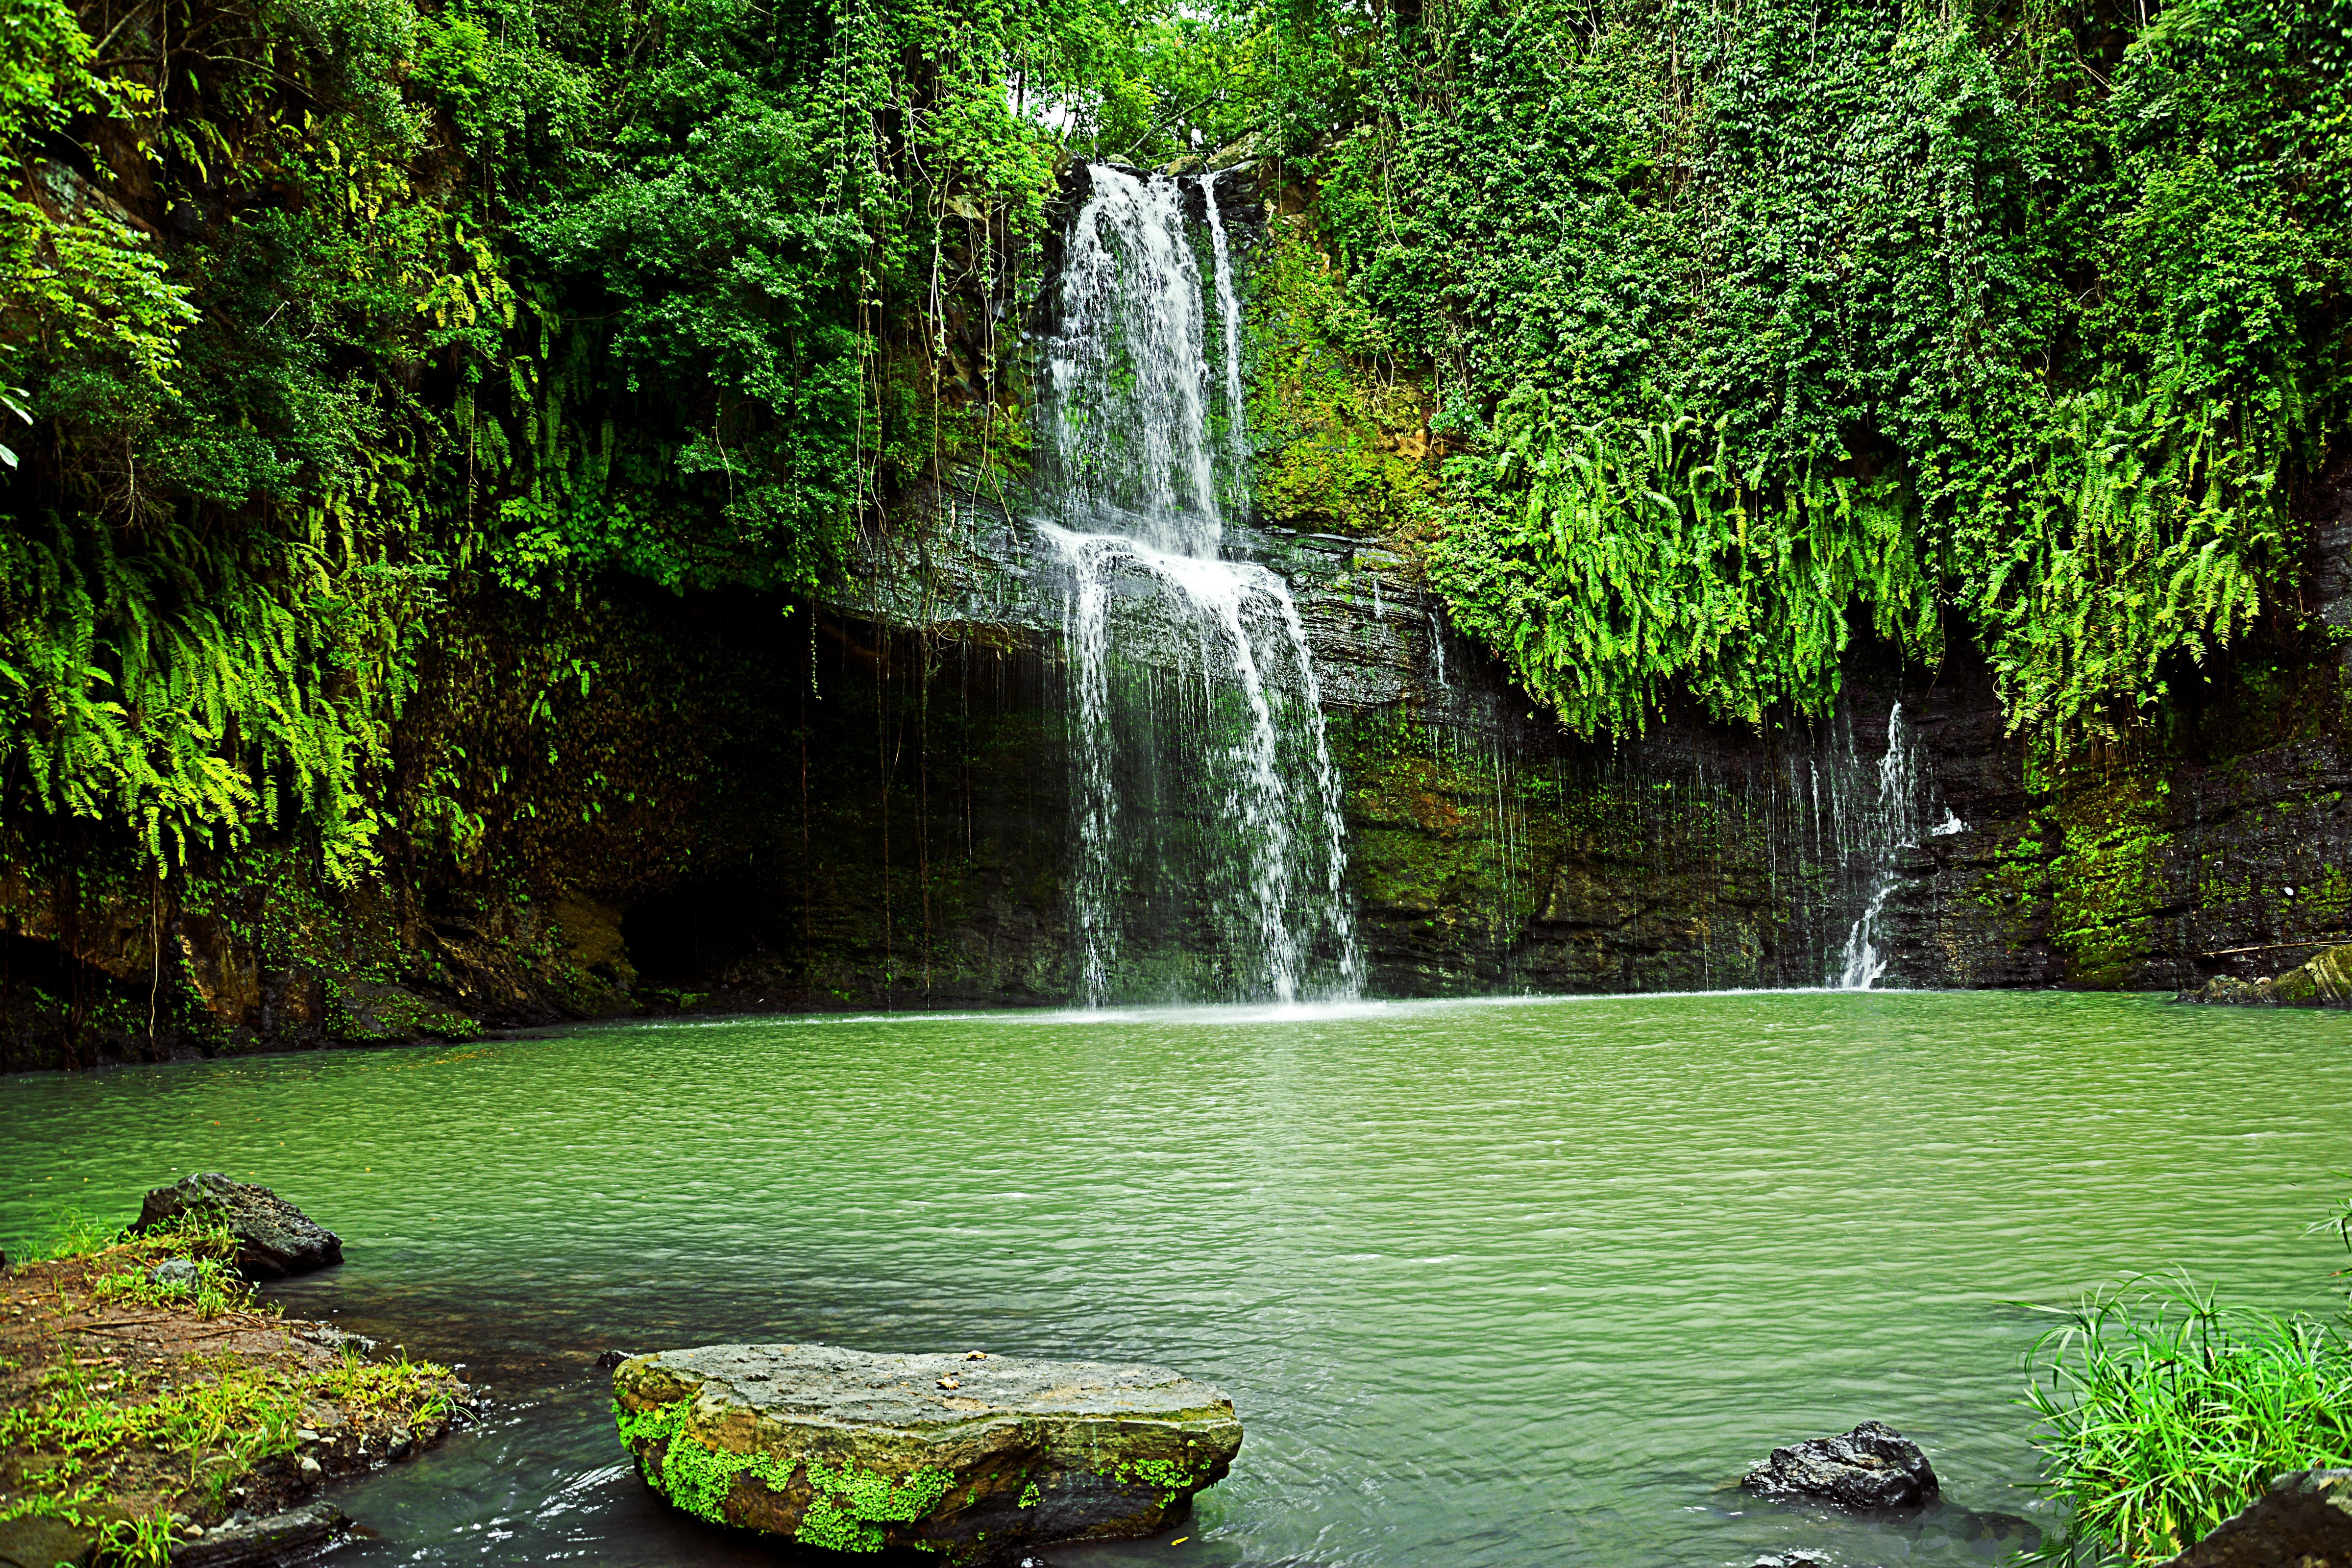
{"x": 154, "y": 1409}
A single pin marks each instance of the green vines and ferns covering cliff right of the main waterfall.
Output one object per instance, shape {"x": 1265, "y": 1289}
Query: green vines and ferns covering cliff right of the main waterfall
{"x": 1758, "y": 326}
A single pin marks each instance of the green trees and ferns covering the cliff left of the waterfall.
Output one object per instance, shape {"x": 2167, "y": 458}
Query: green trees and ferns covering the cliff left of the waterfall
{"x": 335, "y": 321}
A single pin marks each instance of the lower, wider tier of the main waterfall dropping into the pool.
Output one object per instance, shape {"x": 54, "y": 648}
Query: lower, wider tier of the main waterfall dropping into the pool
{"x": 1210, "y": 852}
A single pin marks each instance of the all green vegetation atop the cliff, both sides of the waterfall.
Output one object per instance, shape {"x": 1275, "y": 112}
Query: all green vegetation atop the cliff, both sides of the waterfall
{"x": 1742, "y": 330}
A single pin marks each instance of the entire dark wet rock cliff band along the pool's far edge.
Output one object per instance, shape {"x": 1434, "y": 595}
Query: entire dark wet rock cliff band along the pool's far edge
{"x": 867, "y": 805}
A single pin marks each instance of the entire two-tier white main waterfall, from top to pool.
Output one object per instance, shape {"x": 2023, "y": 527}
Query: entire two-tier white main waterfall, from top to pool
{"x": 1208, "y": 812}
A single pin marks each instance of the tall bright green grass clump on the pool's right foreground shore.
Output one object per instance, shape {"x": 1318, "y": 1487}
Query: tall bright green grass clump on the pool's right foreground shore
{"x": 2165, "y": 1414}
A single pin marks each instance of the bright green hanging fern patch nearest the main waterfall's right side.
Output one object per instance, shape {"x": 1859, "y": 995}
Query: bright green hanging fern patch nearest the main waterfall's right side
{"x": 1612, "y": 563}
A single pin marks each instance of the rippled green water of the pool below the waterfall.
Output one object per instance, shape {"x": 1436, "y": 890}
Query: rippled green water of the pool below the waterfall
{"x": 1492, "y": 1285}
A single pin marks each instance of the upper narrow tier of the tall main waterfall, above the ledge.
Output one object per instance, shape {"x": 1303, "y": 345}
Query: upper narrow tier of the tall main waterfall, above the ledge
{"x": 1128, "y": 415}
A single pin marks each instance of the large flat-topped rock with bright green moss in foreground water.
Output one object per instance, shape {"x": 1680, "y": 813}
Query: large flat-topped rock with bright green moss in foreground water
{"x": 965, "y": 1456}
